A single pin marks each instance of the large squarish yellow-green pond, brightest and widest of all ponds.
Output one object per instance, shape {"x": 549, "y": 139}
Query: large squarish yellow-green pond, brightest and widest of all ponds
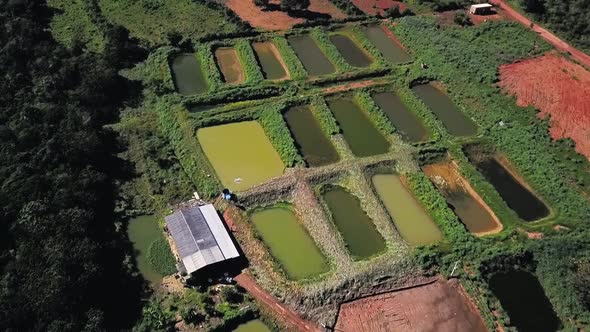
{"x": 241, "y": 154}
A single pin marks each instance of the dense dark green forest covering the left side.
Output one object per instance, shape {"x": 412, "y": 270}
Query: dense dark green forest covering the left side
{"x": 61, "y": 258}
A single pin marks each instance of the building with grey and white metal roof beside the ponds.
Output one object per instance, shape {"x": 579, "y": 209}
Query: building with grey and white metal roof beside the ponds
{"x": 200, "y": 237}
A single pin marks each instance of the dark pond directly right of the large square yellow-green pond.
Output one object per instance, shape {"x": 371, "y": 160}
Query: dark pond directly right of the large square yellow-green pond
{"x": 316, "y": 148}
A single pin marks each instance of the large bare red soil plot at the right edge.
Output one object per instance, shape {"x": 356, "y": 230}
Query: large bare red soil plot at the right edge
{"x": 560, "y": 89}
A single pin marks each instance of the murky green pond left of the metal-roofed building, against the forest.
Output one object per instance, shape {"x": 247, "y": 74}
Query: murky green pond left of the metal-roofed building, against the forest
{"x": 142, "y": 231}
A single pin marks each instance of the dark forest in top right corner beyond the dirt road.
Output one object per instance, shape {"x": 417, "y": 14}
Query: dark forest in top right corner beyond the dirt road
{"x": 567, "y": 18}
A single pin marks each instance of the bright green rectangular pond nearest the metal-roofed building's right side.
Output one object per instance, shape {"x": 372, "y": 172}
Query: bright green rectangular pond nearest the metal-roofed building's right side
{"x": 289, "y": 243}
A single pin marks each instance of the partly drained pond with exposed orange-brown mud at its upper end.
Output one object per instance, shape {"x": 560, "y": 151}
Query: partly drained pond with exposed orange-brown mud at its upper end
{"x": 472, "y": 211}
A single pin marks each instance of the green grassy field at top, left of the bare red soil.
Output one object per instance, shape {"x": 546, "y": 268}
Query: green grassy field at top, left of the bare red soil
{"x": 153, "y": 20}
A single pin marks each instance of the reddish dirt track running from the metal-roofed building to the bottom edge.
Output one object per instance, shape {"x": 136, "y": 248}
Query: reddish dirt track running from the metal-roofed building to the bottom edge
{"x": 289, "y": 316}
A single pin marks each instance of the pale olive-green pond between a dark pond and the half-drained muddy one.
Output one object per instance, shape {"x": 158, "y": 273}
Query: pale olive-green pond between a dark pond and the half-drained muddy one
{"x": 409, "y": 217}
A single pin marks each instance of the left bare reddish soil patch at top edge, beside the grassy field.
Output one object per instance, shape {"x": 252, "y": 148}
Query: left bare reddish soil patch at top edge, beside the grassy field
{"x": 269, "y": 20}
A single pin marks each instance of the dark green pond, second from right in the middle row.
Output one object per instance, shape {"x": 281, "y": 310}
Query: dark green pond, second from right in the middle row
{"x": 404, "y": 120}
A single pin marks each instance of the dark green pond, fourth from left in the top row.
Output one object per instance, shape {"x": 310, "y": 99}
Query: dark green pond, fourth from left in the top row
{"x": 313, "y": 59}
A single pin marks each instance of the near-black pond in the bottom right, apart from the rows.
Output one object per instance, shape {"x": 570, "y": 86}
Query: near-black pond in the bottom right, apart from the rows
{"x": 523, "y": 298}
